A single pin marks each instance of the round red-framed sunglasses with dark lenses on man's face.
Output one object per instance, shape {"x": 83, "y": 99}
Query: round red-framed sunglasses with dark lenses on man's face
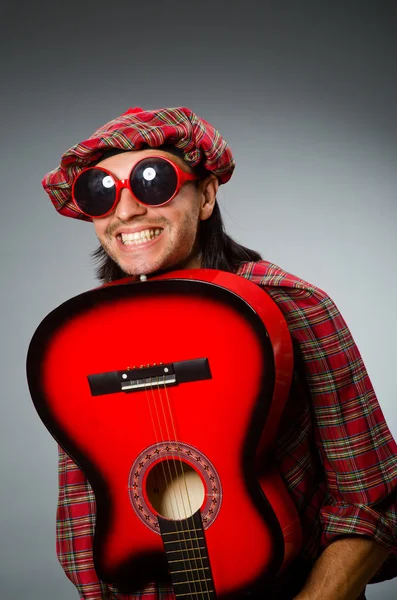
{"x": 153, "y": 181}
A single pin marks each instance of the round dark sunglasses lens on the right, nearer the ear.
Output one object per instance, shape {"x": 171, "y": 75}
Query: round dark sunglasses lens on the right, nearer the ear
{"x": 153, "y": 181}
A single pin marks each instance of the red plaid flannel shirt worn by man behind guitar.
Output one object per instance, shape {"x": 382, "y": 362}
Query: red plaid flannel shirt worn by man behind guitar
{"x": 333, "y": 449}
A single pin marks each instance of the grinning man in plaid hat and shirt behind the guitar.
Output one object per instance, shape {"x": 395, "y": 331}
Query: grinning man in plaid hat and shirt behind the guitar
{"x": 333, "y": 448}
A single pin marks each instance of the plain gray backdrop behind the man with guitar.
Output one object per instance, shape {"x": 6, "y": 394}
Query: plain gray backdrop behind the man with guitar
{"x": 304, "y": 92}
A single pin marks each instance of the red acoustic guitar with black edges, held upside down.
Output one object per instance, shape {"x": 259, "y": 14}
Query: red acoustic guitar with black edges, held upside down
{"x": 168, "y": 394}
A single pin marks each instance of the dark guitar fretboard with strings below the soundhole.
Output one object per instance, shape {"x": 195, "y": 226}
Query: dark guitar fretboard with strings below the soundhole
{"x": 187, "y": 557}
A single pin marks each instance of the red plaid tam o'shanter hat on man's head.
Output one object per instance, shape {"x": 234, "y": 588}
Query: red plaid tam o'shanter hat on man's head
{"x": 135, "y": 129}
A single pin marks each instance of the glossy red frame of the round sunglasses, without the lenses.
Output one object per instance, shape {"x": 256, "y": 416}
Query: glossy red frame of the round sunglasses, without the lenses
{"x": 182, "y": 178}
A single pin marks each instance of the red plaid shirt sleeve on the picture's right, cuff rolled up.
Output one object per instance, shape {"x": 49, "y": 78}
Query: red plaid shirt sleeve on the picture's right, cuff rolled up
{"x": 356, "y": 448}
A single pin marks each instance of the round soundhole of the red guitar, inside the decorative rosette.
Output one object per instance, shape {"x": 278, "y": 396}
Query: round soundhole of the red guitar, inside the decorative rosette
{"x": 174, "y": 489}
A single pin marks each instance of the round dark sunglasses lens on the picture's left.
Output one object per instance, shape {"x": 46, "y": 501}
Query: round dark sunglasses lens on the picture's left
{"x": 94, "y": 192}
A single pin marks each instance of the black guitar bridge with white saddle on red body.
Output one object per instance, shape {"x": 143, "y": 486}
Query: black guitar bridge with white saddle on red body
{"x": 133, "y": 380}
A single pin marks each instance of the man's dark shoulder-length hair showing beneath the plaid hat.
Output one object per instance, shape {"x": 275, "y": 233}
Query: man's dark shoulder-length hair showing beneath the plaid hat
{"x": 218, "y": 249}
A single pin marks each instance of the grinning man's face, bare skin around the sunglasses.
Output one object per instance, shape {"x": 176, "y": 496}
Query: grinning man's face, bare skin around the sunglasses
{"x": 167, "y": 235}
